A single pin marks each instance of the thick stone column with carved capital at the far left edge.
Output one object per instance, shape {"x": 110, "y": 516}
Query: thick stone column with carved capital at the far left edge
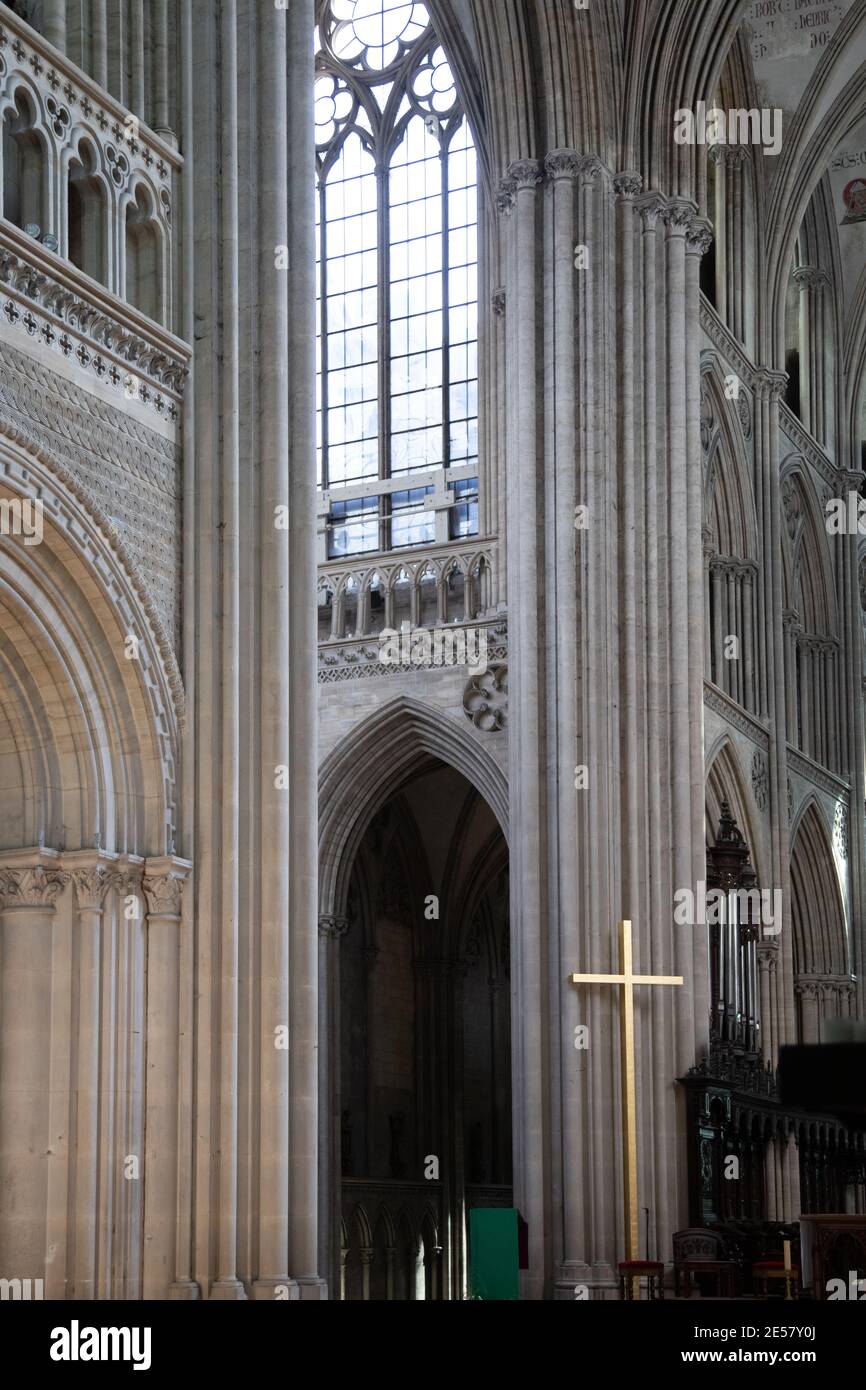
{"x": 28, "y": 897}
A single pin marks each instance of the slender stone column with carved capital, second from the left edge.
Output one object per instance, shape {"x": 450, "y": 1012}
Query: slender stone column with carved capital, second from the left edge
{"x": 91, "y": 881}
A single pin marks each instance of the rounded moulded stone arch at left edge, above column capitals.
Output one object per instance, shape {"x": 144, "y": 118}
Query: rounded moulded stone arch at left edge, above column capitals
{"x": 91, "y": 693}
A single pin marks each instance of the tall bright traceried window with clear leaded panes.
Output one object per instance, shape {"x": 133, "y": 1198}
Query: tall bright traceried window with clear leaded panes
{"x": 397, "y": 254}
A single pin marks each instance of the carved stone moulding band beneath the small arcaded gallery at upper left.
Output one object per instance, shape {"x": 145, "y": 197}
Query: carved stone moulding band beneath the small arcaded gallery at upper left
{"x": 51, "y": 302}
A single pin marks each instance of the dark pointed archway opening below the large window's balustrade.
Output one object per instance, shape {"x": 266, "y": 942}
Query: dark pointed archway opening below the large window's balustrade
{"x": 418, "y": 1035}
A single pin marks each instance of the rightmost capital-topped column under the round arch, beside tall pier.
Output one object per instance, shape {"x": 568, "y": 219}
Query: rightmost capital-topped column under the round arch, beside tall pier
{"x": 163, "y": 888}
